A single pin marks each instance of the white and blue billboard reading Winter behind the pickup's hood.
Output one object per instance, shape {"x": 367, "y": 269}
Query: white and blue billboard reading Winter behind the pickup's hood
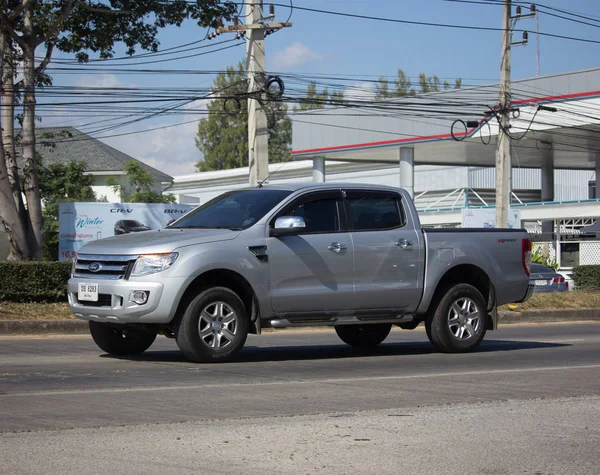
{"x": 80, "y": 223}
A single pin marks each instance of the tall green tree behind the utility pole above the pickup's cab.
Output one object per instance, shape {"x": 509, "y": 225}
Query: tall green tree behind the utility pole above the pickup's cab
{"x": 223, "y": 136}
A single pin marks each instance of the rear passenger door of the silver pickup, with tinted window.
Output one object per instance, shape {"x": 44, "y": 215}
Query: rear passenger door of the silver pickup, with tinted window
{"x": 388, "y": 251}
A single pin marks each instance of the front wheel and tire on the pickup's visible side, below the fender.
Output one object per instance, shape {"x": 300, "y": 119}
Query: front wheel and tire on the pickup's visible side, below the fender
{"x": 214, "y": 326}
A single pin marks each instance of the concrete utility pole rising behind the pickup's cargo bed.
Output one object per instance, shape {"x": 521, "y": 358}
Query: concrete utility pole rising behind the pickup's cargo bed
{"x": 503, "y": 161}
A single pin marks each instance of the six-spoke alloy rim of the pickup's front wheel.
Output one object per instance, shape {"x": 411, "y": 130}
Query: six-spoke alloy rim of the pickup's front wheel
{"x": 217, "y": 325}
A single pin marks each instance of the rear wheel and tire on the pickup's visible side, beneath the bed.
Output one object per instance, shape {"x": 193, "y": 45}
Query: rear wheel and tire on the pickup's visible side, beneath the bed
{"x": 457, "y": 324}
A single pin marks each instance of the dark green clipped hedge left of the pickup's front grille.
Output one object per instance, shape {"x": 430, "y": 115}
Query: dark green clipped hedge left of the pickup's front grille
{"x": 34, "y": 281}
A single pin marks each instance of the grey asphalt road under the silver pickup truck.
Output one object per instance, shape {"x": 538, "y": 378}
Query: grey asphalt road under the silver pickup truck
{"x": 300, "y": 402}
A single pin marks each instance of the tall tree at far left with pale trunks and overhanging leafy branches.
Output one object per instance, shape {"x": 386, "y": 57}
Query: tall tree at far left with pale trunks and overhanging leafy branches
{"x": 70, "y": 26}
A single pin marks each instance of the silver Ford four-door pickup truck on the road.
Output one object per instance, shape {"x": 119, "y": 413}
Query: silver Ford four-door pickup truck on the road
{"x": 344, "y": 255}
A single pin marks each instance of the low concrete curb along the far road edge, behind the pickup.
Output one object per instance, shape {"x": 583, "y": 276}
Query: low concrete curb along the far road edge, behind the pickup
{"x": 74, "y": 327}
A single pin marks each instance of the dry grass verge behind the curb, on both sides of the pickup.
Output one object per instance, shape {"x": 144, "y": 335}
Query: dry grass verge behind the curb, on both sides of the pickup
{"x": 60, "y": 311}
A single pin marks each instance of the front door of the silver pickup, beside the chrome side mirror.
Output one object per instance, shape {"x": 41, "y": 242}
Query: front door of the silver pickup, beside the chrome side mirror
{"x": 313, "y": 270}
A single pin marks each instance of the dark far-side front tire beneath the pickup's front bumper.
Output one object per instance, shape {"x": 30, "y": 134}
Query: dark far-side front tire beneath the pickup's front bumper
{"x": 120, "y": 341}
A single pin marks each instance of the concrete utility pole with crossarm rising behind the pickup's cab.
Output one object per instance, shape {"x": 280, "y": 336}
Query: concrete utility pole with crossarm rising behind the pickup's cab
{"x": 258, "y": 137}
